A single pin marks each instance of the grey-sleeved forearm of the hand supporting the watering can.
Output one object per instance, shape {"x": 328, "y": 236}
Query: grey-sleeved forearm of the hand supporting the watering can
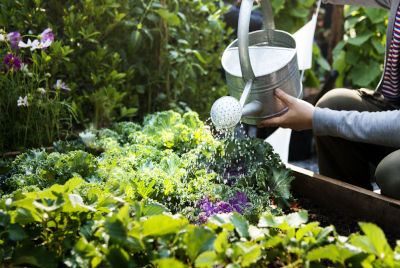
{"x": 382, "y": 128}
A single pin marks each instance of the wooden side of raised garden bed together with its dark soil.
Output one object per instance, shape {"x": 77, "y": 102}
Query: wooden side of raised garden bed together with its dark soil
{"x": 343, "y": 205}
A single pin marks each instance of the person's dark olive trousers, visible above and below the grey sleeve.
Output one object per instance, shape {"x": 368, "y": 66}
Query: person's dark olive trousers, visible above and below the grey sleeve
{"x": 356, "y": 162}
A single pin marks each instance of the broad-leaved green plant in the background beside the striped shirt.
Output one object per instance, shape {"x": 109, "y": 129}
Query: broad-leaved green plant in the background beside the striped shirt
{"x": 362, "y": 48}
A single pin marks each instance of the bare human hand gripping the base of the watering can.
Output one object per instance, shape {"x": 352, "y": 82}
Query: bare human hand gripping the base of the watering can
{"x": 298, "y": 117}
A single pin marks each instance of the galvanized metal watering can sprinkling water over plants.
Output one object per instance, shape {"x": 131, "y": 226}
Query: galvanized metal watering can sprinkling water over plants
{"x": 255, "y": 65}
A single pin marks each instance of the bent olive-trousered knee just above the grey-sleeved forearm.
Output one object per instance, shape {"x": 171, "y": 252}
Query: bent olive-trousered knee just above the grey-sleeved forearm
{"x": 338, "y": 99}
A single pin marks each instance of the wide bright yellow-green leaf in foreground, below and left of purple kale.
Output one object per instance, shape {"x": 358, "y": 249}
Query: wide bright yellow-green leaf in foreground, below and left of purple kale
{"x": 161, "y": 225}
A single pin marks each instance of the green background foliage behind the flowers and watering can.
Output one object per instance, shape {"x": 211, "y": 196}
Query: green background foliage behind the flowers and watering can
{"x": 132, "y": 57}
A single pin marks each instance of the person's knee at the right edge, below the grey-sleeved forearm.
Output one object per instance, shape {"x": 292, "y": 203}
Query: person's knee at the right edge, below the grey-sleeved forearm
{"x": 387, "y": 175}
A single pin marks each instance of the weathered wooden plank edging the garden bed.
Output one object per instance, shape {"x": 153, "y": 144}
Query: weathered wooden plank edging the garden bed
{"x": 348, "y": 199}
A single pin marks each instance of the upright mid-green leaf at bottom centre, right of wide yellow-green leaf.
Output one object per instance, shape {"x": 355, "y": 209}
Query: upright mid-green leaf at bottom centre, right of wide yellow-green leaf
{"x": 196, "y": 240}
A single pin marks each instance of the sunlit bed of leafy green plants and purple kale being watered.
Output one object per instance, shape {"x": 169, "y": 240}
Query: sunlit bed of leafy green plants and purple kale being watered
{"x": 140, "y": 203}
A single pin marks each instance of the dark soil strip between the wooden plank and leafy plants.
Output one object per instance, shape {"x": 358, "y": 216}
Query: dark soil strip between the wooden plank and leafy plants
{"x": 344, "y": 224}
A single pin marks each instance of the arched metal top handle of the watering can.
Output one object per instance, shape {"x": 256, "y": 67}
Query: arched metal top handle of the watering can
{"x": 243, "y": 33}
